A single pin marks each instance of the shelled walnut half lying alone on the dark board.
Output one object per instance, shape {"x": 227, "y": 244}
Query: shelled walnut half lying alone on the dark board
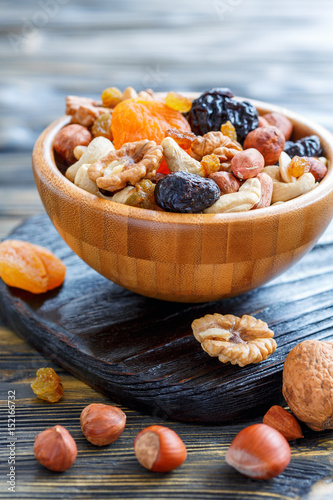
{"x": 241, "y": 341}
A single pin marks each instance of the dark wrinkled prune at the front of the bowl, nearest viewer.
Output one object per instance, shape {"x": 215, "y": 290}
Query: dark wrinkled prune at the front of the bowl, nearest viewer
{"x": 186, "y": 193}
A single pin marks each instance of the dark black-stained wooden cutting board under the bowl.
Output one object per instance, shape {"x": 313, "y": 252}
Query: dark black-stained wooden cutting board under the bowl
{"x": 141, "y": 351}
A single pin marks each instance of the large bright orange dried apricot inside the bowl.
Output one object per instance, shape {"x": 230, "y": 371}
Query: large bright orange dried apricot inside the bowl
{"x": 135, "y": 119}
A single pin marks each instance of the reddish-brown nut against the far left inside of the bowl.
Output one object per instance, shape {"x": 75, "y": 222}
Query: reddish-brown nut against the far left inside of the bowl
{"x": 68, "y": 138}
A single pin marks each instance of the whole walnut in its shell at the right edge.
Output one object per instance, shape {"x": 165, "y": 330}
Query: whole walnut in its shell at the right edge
{"x": 308, "y": 383}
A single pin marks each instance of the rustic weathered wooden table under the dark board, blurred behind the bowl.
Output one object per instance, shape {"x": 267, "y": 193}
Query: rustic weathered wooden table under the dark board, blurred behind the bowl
{"x": 276, "y": 51}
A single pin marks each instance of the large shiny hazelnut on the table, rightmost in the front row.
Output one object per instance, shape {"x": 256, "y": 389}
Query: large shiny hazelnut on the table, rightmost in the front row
{"x": 259, "y": 452}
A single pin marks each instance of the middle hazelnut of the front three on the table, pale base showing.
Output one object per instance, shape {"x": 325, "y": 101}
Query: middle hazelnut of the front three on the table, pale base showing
{"x": 159, "y": 449}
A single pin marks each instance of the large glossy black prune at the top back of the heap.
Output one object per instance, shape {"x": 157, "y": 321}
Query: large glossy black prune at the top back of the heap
{"x": 215, "y": 107}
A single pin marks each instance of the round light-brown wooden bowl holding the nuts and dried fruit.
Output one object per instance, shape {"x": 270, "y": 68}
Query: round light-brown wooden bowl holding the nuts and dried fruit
{"x": 185, "y": 257}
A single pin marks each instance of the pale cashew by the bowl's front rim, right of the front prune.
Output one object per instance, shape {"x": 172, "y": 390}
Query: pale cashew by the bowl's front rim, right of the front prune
{"x": 247, "y": 196}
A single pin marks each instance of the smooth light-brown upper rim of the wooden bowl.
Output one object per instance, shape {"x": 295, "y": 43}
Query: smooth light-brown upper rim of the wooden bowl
{"x": 47, "y": 169}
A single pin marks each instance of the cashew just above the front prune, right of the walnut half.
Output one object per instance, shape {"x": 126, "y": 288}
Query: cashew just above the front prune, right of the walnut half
{"x": 178, "y": 160}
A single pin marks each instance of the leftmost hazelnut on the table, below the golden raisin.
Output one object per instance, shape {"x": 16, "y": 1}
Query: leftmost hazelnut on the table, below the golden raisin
{"x": 55, "y": 449}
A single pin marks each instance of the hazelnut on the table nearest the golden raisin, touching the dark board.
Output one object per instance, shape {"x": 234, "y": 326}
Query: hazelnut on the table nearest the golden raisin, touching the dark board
{"x": 102, "y": 424}
